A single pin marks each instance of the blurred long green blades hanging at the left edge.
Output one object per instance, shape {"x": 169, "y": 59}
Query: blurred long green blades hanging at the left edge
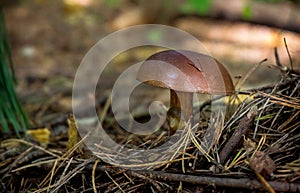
{"x": 12, "y": 116}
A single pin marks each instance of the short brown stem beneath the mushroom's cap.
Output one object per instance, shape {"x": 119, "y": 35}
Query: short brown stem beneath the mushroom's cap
{"x": 182, "y": 101}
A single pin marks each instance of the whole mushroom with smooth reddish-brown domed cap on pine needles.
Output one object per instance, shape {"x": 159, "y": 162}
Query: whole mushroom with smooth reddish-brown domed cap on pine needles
{"x": 185, "y": 73}
